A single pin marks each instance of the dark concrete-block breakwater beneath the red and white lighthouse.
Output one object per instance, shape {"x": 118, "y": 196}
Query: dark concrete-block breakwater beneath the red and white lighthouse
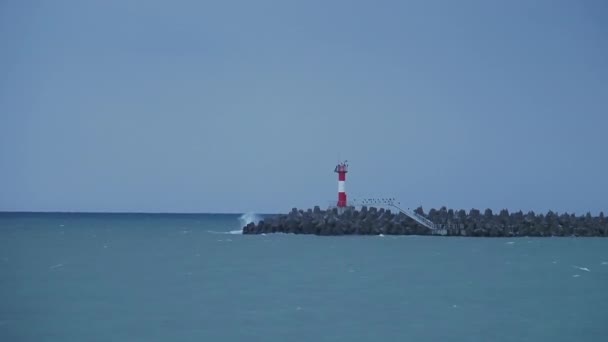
{"x": 376, "y": 221}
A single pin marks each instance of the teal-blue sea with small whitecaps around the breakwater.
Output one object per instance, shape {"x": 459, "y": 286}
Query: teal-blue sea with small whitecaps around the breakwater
{"x": 194, "y": 277}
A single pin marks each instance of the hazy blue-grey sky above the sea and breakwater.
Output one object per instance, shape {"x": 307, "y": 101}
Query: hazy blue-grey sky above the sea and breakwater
{"x": 247, "y": 106}
